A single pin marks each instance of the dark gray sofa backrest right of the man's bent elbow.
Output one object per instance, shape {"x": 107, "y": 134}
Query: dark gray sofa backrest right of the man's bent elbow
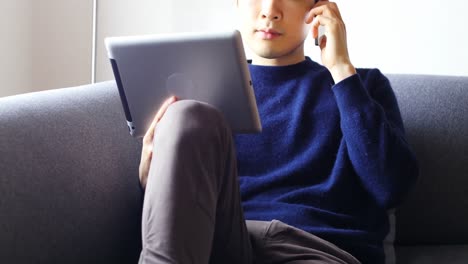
{"x": 435, "y": 114}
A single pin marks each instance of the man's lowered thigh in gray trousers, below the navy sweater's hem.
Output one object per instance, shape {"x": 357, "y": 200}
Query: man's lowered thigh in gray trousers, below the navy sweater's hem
{"x": 277, "y": 242}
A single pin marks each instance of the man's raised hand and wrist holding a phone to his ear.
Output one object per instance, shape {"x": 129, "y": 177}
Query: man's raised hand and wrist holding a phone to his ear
{"x": 333, "y": 44}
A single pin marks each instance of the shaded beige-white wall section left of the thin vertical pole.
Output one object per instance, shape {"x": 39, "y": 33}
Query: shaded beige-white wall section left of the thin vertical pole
{"x": 44, "y": 44}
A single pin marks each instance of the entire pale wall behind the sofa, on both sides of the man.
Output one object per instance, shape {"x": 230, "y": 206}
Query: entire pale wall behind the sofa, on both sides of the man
{"x": 47, "y": 44}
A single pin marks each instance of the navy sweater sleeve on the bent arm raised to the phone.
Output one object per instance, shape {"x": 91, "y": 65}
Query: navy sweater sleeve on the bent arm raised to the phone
{"x": 374, "y": 134}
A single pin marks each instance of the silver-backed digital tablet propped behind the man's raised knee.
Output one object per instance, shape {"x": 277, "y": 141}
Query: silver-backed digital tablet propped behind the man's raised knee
{"x": 208, "y": 67}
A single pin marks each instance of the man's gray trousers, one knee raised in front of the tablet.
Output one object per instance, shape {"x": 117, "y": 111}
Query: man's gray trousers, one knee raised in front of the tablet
{"x": 192, "y": 208}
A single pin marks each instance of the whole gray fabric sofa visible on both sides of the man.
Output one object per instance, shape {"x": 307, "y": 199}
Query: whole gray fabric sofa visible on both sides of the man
{"x": 69, "y": 190}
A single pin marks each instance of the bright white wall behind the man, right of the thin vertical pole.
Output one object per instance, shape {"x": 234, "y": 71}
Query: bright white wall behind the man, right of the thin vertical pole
{"x": 397, "y": 36}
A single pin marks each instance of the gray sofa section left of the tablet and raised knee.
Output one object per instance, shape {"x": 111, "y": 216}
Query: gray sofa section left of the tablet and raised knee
{"x": 69, "y": 188}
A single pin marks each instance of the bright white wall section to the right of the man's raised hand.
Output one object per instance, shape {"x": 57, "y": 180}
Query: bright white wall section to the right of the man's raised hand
{"x": 401, "y": 36}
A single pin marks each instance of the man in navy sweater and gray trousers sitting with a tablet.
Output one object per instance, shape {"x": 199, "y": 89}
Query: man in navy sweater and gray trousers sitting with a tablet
{"x": 315, "y": 185}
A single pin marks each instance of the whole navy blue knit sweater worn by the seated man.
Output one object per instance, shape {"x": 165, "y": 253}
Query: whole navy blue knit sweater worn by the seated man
{"x": 331, "y": 159}
